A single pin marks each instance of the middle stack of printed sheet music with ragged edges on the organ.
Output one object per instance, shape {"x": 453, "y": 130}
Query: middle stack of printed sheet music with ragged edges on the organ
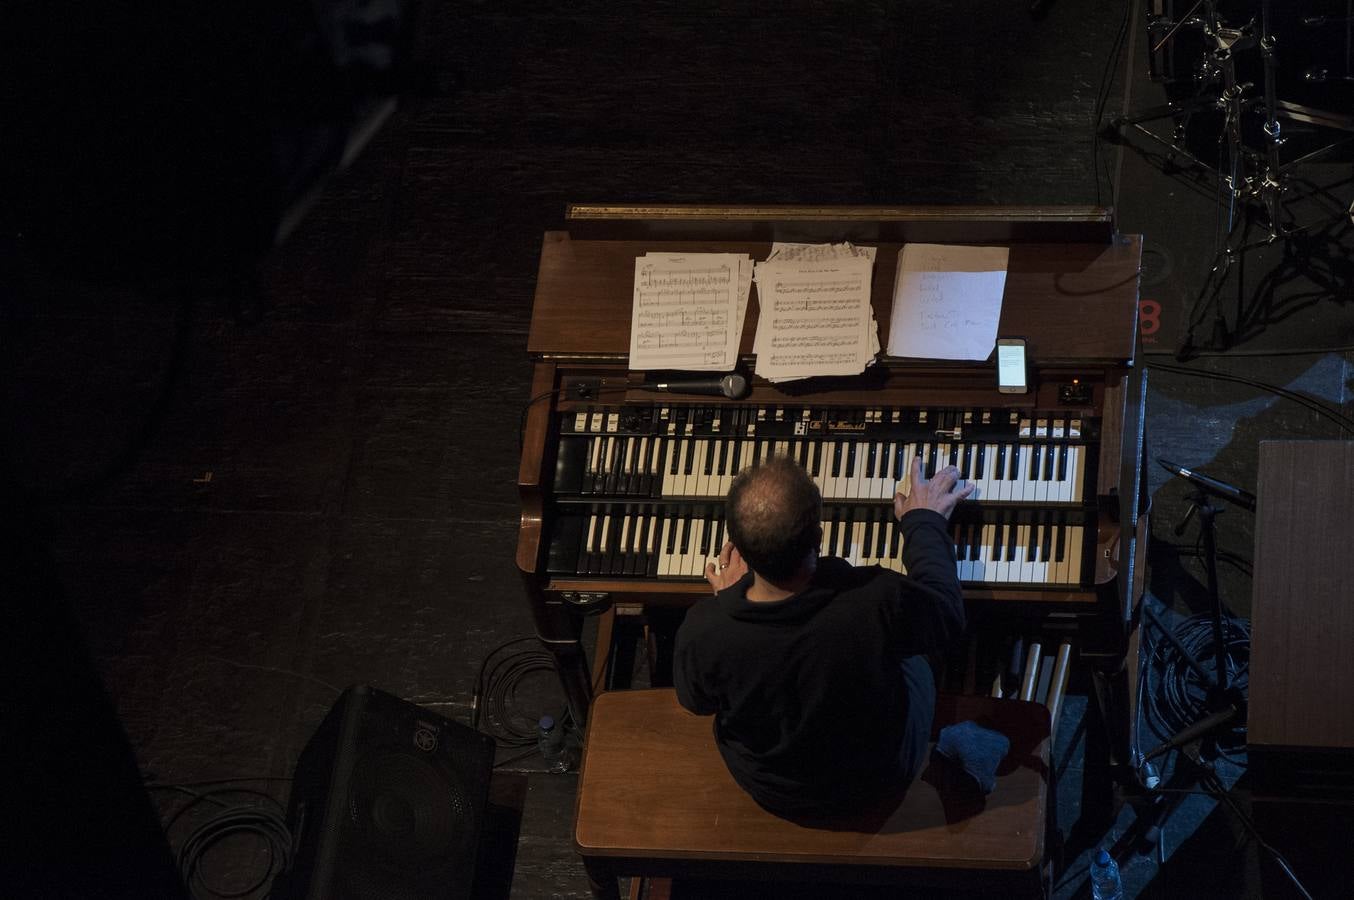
{"x": 814, "y": 319}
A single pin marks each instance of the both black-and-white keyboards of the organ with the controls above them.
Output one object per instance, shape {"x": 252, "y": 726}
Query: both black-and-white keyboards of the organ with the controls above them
{"x": 1026, "y": 523}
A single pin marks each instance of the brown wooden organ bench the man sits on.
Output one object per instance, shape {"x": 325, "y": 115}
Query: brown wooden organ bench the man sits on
{"x": 656, "y": 799}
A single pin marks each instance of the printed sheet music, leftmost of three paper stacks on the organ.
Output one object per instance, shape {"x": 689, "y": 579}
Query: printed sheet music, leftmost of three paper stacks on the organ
{"x": 689, "y": 311}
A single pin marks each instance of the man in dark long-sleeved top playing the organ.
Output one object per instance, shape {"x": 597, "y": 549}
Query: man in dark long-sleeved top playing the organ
{"x": 816, "y": 671}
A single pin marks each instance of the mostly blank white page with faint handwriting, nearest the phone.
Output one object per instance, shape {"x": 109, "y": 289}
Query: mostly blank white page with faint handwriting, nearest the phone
{"x": 947, "y": 301}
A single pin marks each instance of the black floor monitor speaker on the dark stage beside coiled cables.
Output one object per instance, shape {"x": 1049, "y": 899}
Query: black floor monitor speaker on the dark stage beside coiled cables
{"x": 387, "y": 803}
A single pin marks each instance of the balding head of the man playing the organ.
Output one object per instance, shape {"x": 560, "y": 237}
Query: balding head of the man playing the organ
{"x": 774, "y": 516}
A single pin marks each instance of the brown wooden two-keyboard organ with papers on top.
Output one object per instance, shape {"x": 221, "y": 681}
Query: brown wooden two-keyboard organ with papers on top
{"x": 624, "y": 491}
